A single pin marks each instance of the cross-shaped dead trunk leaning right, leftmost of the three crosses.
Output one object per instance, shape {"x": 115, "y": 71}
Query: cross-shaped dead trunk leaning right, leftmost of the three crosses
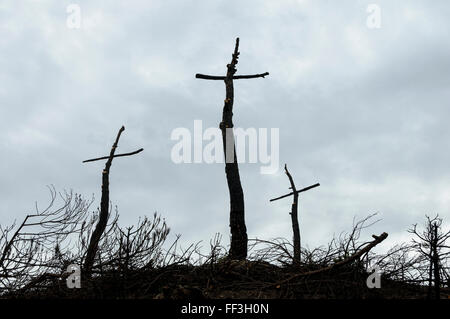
{"x": 104, "y": 204}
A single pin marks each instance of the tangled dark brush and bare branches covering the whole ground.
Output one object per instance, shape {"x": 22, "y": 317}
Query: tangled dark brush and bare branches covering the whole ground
{"x": 136, "y": 261}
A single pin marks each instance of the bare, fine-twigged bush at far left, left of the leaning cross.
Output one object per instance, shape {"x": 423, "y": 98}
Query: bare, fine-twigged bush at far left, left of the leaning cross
{"x": 34, "y": 247}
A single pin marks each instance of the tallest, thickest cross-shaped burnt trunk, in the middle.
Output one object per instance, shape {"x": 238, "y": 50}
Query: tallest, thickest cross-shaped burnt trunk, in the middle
{"x": 238, "y": 247}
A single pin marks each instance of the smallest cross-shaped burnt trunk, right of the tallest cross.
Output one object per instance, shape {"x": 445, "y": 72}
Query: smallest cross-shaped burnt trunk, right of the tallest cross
{"x": 294, "y": 213}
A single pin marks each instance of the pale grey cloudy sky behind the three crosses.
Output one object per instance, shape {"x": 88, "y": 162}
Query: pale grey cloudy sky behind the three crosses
{"x": 364, "y": 111}
